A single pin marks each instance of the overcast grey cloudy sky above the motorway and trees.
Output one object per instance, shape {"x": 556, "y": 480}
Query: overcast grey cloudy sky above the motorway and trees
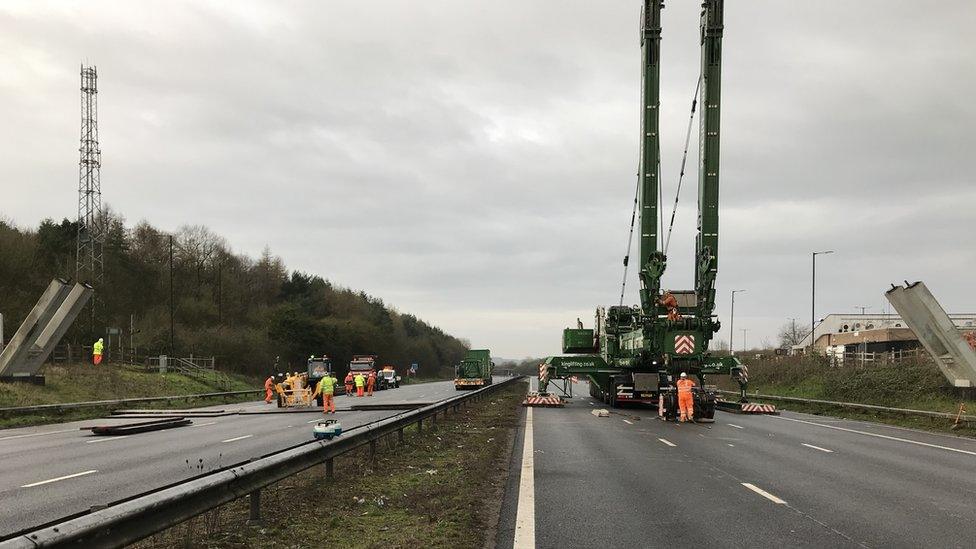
{"x": 474, "y": 163}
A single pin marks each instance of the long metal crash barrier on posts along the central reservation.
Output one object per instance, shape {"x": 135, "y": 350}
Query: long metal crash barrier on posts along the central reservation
{"x": 143, "y": 516}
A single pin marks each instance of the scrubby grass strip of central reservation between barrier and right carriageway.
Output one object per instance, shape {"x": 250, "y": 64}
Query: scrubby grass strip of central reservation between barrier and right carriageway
{"x": 441, "y": 488}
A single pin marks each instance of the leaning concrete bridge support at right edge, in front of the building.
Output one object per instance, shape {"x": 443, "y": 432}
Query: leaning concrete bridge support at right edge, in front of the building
{"x": 935, "y": 330}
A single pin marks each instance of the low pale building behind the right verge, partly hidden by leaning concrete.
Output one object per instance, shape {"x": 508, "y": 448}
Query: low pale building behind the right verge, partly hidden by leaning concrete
{"x": 839, "y": 333}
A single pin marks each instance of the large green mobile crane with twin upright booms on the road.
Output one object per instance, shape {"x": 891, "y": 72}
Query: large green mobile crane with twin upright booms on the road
{"x": 635, "y": 354}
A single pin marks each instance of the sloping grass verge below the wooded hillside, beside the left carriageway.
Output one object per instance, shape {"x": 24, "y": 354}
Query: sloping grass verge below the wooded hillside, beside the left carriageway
{"x": 84, "y": 382}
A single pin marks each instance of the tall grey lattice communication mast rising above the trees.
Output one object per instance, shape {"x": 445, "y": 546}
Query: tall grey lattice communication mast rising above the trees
{"x": 91, "y": 234}
